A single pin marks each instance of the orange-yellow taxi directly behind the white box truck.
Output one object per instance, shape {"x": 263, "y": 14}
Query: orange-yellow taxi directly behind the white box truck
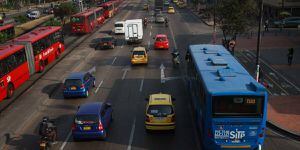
{"x": 139, "y": 56}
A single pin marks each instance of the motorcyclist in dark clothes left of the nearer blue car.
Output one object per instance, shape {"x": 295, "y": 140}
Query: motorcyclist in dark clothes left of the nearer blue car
{"x": 48, "y": 129}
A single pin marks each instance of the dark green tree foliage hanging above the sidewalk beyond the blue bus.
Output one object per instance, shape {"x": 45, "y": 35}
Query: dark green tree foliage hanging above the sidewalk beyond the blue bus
{"x": 236, "y": 16}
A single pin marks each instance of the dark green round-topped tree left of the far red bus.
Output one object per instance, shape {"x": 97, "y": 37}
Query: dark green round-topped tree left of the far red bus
{"x": 64, "y": 10}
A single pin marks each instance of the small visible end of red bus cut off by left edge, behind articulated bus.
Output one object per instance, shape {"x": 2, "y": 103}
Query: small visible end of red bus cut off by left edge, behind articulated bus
{"x": 7, "y": 31}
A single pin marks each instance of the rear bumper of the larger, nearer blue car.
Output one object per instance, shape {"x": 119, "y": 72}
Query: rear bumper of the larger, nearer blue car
{"x": 88, "y": 135}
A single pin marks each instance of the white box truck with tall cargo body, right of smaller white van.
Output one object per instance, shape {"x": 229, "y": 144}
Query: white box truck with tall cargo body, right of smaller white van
{"x": 134, "y": 31}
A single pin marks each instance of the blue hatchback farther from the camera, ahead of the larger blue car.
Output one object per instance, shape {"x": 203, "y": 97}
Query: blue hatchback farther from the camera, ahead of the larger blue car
{"x": 78, "y": 84}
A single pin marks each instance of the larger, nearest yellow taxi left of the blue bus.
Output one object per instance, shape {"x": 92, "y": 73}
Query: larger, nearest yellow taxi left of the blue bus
{"x": 160, "y": 113}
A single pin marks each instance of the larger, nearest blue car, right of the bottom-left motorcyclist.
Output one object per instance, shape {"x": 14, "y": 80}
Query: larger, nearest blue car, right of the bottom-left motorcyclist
{"x": 92, "y": 121}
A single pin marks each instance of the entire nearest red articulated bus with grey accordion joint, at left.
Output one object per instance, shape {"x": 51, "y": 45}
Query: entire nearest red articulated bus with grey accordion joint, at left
{"x": 26, "y": 55}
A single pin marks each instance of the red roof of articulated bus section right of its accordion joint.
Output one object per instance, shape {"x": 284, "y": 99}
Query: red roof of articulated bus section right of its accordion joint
{"x": 37, "y": 33}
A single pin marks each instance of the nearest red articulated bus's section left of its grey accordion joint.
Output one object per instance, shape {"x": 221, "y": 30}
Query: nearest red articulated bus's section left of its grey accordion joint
{"x": 14, "y": 69}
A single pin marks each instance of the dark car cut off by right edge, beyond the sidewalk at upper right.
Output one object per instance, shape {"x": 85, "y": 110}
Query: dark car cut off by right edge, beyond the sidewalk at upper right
{"x": 290, "y": 22}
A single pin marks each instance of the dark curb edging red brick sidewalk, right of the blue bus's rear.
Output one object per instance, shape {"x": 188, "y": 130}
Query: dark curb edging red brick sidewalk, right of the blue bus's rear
{"x": 276, "y": 127}
